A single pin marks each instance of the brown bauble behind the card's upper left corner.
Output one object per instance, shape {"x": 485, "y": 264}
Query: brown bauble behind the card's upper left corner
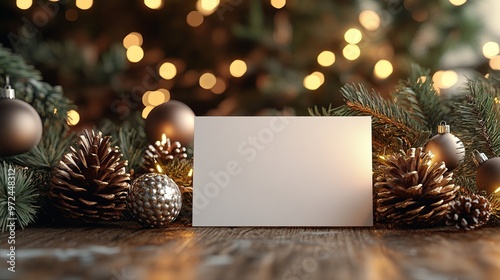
{"x": 174, "y": 119}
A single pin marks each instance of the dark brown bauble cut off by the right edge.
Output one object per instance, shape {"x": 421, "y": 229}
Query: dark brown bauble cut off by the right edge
{"x": 488, "y": 173}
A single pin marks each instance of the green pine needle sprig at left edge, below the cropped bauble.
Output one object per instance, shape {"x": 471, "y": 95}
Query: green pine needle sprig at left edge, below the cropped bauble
{"x": 24, "y": 193}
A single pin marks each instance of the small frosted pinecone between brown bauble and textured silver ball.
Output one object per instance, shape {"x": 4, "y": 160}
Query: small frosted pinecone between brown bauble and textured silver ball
{"x": 162, "y": 152}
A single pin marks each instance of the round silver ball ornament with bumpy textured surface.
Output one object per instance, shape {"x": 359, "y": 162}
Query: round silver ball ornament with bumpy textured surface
{"x": 154, "y": 200}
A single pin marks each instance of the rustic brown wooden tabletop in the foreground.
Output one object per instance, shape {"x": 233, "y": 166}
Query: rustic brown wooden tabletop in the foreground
{"x": 125, "y": 251}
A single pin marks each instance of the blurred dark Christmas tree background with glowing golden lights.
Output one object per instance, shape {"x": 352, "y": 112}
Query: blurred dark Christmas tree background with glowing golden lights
{"x": 114, "y": 58}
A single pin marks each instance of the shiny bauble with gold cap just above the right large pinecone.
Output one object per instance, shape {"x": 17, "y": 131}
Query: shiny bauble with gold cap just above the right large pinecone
{"x": 446, "y": 147}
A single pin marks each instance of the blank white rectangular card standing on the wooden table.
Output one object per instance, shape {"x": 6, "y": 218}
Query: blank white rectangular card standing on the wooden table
{"x": 282, "y": 171}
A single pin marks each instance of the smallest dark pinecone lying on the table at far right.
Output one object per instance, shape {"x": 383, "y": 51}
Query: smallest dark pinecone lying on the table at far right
{"x": 468, "y": 212}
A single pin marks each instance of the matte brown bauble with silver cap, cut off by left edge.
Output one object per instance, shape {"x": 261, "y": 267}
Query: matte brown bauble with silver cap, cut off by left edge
{"x": 20, "y": 125}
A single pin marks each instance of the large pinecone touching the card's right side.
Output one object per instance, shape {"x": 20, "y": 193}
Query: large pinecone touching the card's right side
{"x": 413, "y": 190}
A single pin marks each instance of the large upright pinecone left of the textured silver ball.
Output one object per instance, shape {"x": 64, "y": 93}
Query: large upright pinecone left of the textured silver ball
{"x": 91, "y": 183}
